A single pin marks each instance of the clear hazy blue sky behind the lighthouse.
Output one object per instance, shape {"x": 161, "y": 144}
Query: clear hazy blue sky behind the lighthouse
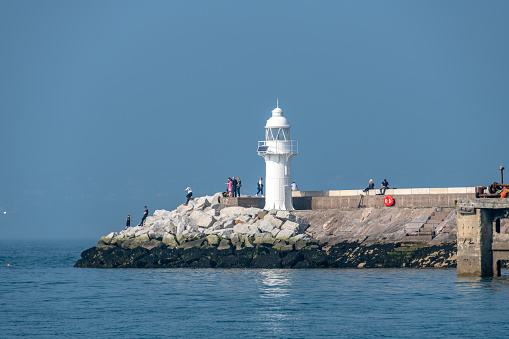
{"x": 108, "y": 106}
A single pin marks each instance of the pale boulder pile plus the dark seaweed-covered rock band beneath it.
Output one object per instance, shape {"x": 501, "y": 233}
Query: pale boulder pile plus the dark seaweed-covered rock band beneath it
{"x": 206, "y": 234}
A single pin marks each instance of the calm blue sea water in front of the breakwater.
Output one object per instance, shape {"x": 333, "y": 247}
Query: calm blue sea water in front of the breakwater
{"x": 41, "y": 294}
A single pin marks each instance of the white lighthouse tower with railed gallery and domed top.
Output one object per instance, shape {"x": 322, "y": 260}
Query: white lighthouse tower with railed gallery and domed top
{"x": 278, "y": 150}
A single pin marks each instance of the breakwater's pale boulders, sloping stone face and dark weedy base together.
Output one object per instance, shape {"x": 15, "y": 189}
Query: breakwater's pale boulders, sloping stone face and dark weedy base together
{"x": 206, "y": 233}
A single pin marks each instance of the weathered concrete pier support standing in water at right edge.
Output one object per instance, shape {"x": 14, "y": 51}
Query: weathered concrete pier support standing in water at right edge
{"x": 480, "y": 244}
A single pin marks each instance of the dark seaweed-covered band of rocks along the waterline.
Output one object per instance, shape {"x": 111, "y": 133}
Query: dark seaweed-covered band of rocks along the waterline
{"x": 301, "y": 254}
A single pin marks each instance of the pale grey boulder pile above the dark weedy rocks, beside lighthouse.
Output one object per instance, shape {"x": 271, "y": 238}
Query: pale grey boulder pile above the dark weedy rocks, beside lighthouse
{"x": 206, "y": 217}
